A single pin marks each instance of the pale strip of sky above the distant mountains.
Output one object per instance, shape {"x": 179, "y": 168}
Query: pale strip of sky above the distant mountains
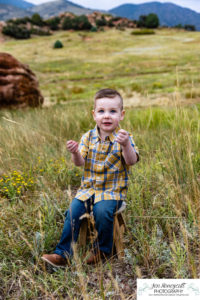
{"x": 108, "y": 4}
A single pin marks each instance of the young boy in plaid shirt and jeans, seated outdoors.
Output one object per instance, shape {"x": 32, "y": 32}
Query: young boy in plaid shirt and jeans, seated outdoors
{"x": 106, "y": 152}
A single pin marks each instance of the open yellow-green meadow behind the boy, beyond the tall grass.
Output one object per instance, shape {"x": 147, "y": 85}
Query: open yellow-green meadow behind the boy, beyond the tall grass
{"x": 112, "y": 58}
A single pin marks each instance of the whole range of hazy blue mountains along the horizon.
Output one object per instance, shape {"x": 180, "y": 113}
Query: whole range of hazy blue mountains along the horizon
{"x": 169, "y": 14}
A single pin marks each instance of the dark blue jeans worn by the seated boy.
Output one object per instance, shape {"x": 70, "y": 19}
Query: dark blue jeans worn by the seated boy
{"x": 103, "y": 212}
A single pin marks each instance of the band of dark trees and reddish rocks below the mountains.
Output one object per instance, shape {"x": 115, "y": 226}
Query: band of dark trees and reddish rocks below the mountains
{"x": 18, "y": 28}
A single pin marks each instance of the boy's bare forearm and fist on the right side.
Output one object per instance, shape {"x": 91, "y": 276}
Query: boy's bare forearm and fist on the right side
{"x": 129, "y": 154}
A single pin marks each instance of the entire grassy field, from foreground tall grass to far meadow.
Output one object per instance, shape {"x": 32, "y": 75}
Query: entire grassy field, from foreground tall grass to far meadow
{"x": 159, "y": 79}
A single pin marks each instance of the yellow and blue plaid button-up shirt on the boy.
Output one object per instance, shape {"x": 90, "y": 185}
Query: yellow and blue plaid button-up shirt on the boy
{"x": 105, "y": 171}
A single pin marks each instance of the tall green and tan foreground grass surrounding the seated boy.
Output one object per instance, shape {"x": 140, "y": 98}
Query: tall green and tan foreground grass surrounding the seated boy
{"x": 162, "y": 215}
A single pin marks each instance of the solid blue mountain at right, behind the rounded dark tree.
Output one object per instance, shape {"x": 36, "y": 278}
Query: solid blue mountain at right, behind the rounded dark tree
{"x": 169, "y": 14}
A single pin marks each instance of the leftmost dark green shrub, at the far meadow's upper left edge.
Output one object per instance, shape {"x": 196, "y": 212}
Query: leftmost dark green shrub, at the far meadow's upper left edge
{"x": 16, "y": 32}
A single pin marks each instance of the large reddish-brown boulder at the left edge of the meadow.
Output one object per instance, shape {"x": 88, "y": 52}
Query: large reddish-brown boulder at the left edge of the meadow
{"x": 18, "y": 84}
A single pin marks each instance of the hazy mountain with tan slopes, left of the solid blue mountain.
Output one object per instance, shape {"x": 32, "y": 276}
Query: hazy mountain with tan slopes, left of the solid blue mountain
{"x": 54, "y": 8}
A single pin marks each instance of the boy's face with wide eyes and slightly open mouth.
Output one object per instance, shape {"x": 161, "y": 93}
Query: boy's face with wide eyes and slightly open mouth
{"x": 107, "y": 114}
